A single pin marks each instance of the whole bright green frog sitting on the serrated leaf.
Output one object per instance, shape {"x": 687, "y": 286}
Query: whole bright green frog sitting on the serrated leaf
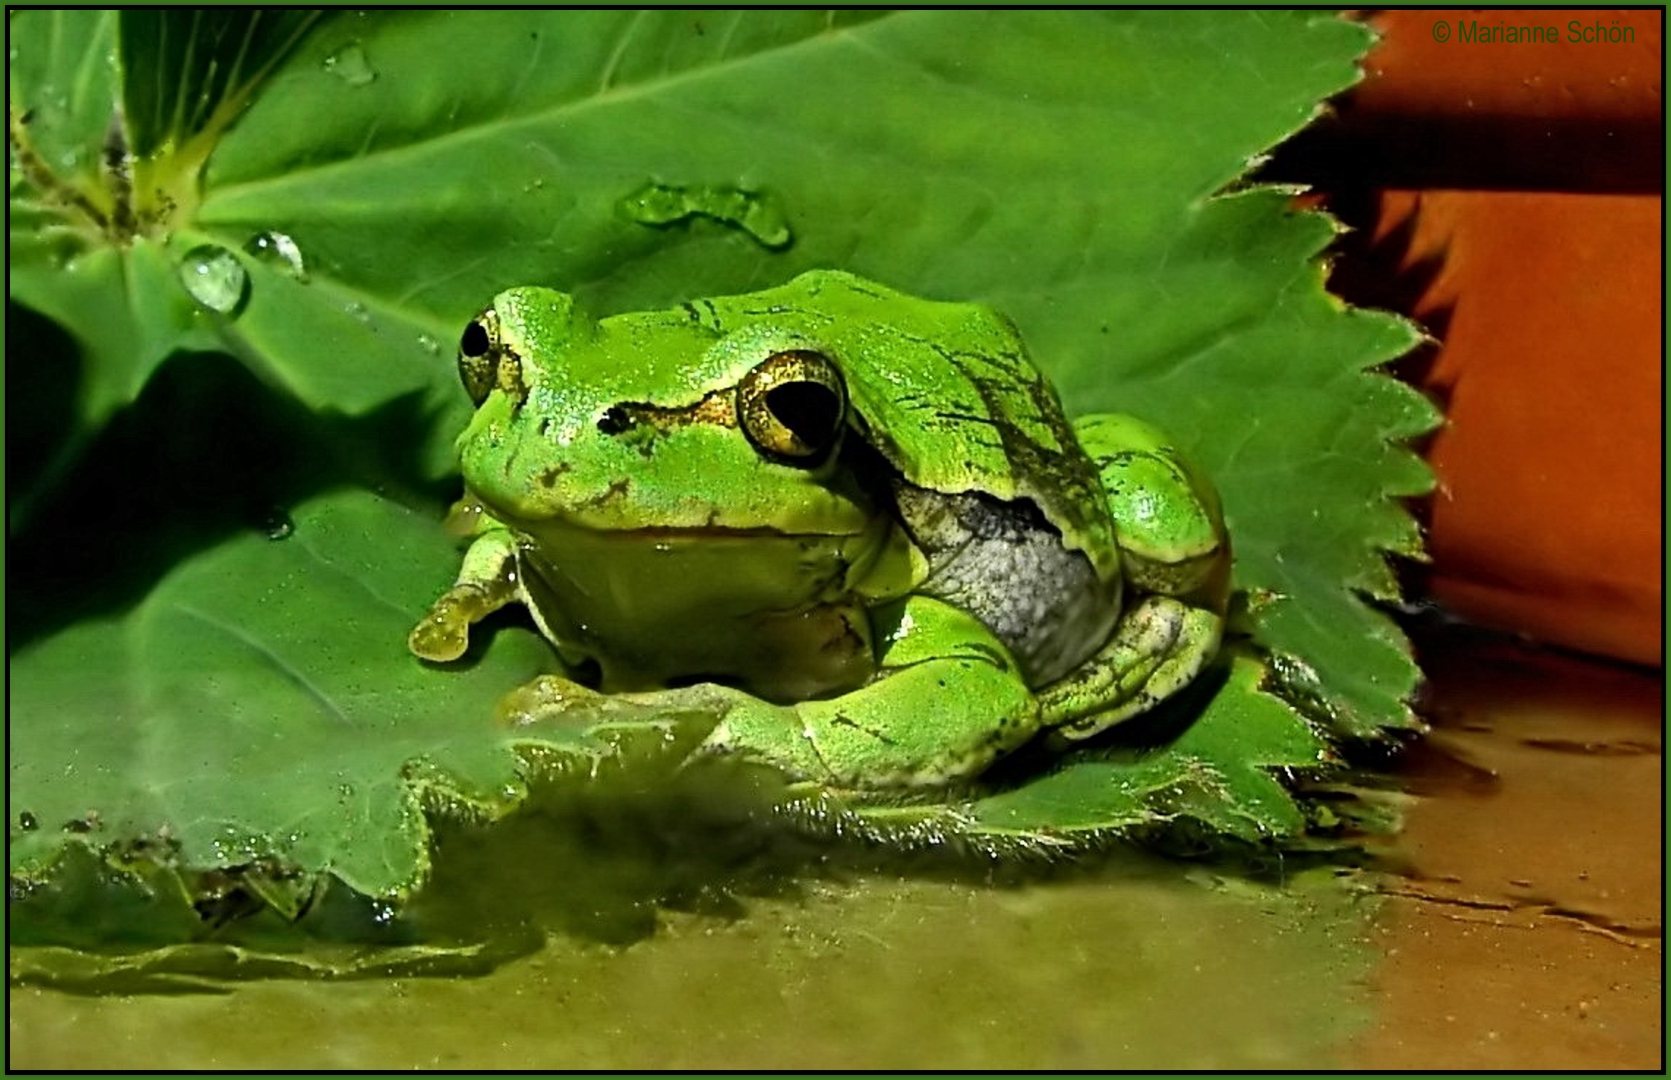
{"x": 856, "y": 519}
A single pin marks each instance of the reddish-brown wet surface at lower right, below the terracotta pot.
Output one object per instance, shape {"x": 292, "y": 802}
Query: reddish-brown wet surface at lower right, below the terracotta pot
{"x": 1525, "y": 929}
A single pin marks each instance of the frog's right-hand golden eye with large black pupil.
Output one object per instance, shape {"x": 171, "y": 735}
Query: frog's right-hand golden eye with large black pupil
{"x": 793, "y": 407}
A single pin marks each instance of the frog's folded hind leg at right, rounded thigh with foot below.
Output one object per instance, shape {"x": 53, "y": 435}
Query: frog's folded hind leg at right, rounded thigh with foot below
{"x": 1176, "y": 559}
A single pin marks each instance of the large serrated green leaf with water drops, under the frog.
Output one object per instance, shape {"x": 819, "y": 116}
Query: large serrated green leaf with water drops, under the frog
{"x": 362, "y": 190}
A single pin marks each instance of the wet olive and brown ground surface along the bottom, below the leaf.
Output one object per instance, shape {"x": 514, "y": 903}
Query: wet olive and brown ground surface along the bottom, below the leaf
{"x": 1518, "y": 927}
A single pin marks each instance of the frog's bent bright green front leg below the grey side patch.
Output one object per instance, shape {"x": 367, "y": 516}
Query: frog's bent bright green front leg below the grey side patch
{"x": 948, "y": 703}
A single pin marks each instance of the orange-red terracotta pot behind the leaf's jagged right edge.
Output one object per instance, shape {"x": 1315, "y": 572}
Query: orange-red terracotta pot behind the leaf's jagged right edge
{"x": 1510, "y": 198}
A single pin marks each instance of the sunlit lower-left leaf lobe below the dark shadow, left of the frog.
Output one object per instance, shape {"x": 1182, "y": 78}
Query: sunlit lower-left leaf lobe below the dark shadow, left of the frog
{"x": 262, "y": 706}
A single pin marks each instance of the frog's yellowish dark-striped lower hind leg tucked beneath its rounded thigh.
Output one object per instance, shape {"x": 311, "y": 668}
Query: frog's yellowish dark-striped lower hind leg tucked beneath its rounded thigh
{"x": 1159, "y": 648}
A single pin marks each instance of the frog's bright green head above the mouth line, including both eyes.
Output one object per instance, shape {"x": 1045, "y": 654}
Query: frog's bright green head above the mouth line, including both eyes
{"x": 654, "y": 422}
